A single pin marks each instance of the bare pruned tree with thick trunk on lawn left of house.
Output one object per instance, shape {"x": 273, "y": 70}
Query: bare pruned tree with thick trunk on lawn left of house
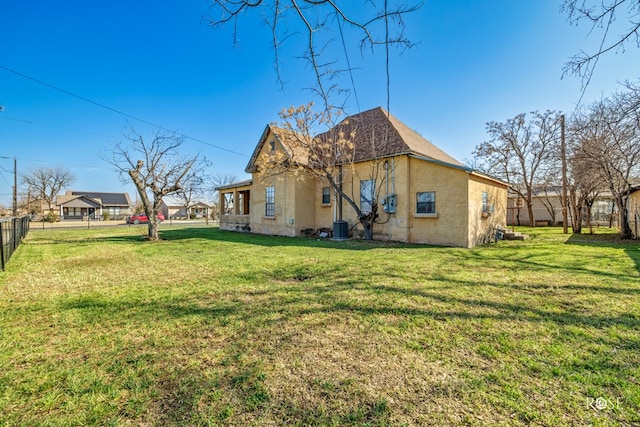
{"x": 156, "y": 168}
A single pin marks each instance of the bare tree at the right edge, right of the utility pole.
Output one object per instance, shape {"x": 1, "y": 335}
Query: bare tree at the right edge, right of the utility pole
{"x": 608, "y": 133}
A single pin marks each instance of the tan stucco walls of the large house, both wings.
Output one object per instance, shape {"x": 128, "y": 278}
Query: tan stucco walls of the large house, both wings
{"x": 458, "y": 221}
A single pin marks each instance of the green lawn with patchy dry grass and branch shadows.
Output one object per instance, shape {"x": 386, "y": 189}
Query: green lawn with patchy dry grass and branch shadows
{"x": 99, "y": 327}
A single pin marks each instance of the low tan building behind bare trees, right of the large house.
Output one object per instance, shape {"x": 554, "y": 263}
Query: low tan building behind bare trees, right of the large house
{"x": 547, "y": 209}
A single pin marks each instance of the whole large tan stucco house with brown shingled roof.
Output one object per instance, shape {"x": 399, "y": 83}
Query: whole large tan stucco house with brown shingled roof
{"x": 425, "y": 195}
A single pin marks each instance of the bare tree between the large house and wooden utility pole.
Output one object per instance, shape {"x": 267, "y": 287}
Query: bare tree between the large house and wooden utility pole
{"x": 520, "y": 152}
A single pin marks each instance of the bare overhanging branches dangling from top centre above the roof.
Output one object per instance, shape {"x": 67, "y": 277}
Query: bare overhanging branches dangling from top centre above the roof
{"x": 323, "y": 23}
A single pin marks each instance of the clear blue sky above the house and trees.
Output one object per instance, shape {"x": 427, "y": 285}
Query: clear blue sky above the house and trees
{"x": 476, "y": 61}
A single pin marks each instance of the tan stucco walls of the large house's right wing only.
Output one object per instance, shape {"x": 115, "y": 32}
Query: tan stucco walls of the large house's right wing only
{"x": 458, "y": 220}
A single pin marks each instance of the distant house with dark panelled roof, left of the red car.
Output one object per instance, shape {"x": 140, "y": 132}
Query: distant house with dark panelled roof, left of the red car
{"x": 87, "y": 204}
